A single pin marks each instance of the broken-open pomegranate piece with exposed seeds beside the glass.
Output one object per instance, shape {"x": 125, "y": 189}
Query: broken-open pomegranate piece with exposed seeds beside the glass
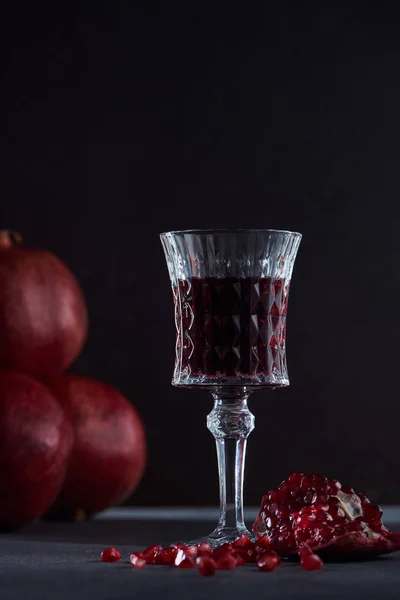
{"x": 319, "y": 513}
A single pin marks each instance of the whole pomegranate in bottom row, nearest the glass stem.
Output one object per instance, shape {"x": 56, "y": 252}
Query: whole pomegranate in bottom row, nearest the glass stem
{"x": 109, "y": 453}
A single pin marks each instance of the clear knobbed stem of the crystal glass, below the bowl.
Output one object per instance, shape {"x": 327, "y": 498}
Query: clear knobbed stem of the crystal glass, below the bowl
{"x": 231, "y": 422}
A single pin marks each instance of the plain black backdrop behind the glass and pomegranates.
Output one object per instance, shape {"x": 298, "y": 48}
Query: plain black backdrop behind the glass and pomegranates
{"x": 120, "y": 120}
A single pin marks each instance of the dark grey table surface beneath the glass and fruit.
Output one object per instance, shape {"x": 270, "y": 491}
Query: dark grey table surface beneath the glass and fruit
{"x": 62, "y": 561}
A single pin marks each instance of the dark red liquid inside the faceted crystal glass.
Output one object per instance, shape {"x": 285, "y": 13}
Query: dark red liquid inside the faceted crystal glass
{"x": 232, "y": 328}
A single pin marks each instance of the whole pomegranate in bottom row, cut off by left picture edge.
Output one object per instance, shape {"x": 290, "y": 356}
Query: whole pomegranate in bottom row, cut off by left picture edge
{"x": 35, "y": 442}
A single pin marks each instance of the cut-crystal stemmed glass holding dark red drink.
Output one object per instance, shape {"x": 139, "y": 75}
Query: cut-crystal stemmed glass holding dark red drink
{"x": 230, "y": 289}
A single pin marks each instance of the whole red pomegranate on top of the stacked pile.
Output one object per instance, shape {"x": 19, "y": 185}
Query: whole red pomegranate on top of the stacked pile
{"x": 43, "y": 317}
